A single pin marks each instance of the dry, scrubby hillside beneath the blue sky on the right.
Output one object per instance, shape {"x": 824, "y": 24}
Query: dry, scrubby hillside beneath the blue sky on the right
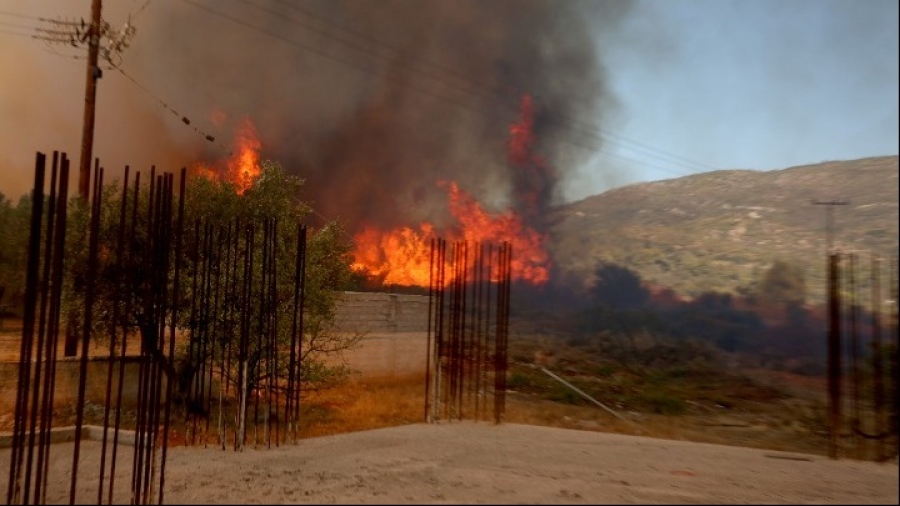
{"x": 719, "y": 231}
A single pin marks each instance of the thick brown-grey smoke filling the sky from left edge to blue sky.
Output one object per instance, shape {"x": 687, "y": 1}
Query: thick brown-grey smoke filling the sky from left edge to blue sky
{"x": 372, "y": 102}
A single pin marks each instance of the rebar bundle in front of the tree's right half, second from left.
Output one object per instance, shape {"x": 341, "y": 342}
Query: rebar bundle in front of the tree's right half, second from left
{"x": 245, "y": 334}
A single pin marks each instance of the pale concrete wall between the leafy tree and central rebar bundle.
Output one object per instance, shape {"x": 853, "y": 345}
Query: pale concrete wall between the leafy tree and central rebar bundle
{"x": 394, "y": 329}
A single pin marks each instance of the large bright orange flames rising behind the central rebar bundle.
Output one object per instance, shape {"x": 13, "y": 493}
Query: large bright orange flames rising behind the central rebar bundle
{"x": 403, "y": 256}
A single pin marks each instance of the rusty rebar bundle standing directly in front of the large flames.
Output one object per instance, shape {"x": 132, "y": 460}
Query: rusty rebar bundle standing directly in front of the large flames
{"x": 468, "y": 315}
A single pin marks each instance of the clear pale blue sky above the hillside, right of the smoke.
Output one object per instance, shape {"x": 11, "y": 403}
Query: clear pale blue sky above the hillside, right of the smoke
{"x": 738, "y": 84}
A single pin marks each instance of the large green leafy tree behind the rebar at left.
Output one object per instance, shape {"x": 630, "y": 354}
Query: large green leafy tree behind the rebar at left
{"x": 215, "y": 229}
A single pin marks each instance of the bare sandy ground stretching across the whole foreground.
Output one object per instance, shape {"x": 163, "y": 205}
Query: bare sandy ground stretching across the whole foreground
{"x": 467, "y": 462}
